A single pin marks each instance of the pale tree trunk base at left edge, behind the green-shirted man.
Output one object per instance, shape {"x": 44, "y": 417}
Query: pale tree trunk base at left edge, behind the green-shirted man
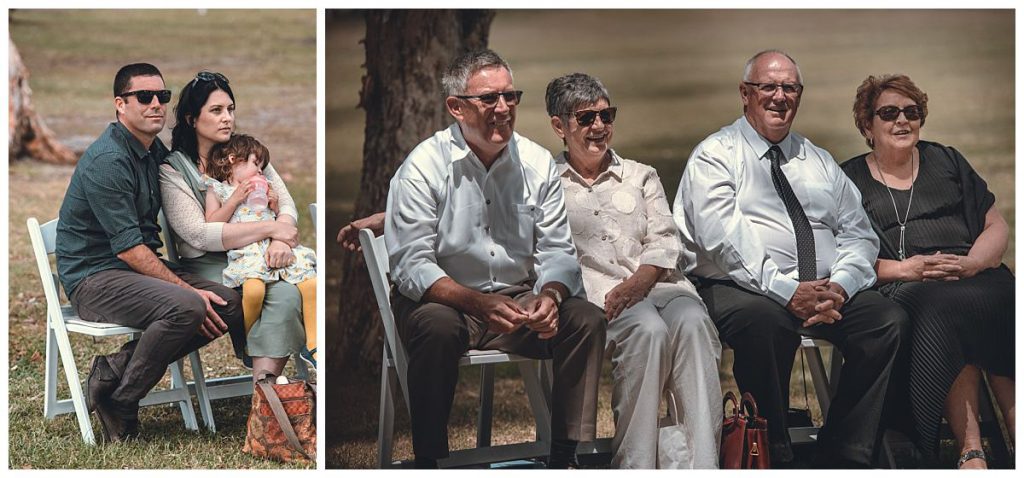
{"x": 29, "y": 135}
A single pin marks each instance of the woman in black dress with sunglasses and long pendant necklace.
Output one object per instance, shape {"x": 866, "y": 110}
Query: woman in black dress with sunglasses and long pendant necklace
{"x": 943, "y": 243}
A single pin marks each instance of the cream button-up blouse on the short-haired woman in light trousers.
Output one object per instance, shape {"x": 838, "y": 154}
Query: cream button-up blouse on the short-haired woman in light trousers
{"x": 621, "y": 223}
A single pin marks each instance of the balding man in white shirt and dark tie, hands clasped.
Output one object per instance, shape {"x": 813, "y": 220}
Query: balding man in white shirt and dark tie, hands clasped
{"x": 780, "y": 245}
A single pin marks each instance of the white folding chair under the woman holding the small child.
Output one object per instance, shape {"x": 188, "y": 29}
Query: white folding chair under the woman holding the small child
{"x": 207, "y": 390}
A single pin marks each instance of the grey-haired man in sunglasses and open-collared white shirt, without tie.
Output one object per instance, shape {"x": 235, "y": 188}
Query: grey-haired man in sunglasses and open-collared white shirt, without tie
{"x": 483, "y": 258}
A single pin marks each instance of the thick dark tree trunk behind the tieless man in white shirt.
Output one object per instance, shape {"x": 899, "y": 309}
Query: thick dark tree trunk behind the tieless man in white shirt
{"x": 407, "y": 54}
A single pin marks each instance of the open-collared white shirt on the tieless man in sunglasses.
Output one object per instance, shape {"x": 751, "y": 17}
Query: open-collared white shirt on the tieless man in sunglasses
{"x": 486, "y": 230}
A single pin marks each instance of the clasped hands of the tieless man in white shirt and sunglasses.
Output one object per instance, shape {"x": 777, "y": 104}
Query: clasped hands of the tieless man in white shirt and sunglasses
{"x": 505, "y": 316}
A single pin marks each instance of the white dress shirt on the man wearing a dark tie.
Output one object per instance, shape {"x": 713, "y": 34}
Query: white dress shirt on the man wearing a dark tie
{"x": 735, "y": 226}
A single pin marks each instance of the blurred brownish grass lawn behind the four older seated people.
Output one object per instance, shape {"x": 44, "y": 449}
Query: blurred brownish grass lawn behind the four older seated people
{"x": 674, "y": 75}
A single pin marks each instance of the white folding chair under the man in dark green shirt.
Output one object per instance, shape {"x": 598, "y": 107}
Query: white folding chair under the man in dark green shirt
{"x": 62, "y": 320}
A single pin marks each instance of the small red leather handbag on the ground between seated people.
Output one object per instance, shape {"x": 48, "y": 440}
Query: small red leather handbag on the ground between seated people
{"x": 745, "y": 436}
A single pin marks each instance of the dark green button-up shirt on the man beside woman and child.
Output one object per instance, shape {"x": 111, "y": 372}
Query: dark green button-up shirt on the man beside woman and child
{"x": 111, "y": 206}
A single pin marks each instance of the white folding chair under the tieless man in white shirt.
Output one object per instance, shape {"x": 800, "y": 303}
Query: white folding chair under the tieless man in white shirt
{"x": 396, "y": 366}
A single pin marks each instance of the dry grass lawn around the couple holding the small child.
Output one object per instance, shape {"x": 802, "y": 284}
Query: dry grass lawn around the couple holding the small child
{"x": 271, "y": 59}
